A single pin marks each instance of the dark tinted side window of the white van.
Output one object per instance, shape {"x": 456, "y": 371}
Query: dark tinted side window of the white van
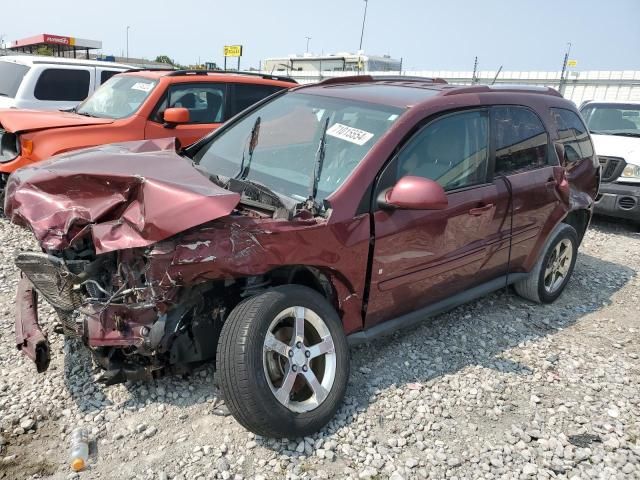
{"x": 63, "y": 85}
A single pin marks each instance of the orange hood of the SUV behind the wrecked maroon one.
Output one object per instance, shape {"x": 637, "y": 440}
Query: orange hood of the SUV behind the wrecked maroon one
{"x": 17, "y": 120}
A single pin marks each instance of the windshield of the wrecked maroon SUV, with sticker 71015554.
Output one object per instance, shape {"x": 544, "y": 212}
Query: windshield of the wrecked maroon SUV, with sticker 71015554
{"x": 279, "y": 144}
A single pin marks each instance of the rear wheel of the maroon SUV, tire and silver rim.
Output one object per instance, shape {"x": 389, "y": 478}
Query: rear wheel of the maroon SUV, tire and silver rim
{"x": 553, "y": 269}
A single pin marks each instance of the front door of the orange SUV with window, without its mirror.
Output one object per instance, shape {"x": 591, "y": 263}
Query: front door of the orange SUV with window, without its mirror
{"x": 206, "y": 105}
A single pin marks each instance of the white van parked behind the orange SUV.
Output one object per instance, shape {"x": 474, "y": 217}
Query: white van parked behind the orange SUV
{"x": 51, "y": 83}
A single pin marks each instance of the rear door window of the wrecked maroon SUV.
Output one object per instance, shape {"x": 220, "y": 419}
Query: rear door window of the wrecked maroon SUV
{"x": 521, "y": 140}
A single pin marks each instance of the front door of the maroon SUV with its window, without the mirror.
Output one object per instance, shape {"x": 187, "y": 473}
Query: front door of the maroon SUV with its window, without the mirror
{"x": 423, "y": 256}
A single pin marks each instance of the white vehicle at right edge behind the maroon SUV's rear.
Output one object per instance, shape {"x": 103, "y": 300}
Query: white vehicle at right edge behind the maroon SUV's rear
{"x": 615, "y": 131}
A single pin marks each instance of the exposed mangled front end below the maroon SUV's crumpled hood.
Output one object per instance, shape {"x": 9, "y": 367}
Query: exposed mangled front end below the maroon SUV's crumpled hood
{"x": 117, "y": 307}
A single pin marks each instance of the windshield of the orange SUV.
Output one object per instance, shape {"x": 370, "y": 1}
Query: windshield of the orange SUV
{"x": 118, "y": 97}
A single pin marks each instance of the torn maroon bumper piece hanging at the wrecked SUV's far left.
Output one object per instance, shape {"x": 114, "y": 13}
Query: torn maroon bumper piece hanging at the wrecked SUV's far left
{"x": 29, "y": 336}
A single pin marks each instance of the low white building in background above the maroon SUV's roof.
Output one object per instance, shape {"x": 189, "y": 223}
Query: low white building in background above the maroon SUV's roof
{"x": 348, "y": 62}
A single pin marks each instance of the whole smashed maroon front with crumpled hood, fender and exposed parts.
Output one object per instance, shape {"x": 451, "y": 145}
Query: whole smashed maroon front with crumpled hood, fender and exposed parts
{"x": 144, "y": 267}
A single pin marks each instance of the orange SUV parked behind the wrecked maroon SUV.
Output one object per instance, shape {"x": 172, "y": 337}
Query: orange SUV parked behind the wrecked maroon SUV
{"x": 137, "y": 105}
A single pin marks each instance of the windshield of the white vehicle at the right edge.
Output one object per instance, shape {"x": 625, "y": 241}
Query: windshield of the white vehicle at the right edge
{"x": 612, "y": 118}
